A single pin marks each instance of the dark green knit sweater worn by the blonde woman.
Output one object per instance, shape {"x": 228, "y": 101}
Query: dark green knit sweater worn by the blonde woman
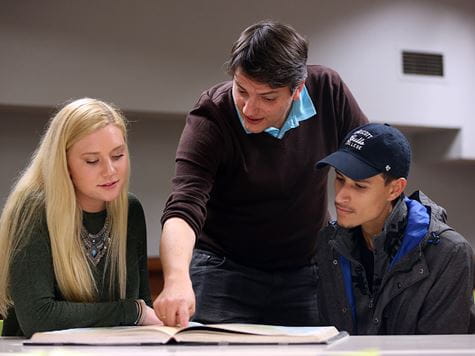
{"x": 40, "y": 306}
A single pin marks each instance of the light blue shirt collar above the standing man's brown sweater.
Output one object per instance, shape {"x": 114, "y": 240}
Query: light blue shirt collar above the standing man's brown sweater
{"x": 302, "y": 109}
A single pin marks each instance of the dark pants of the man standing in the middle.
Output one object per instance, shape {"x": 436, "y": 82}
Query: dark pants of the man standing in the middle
{"x": 228, "y": 292}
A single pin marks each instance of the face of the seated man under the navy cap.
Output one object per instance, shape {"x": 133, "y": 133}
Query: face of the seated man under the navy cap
{"x": 364, "y": 202}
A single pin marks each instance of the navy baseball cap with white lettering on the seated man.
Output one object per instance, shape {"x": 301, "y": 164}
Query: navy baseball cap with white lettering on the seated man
{"x": 369, "y": 150}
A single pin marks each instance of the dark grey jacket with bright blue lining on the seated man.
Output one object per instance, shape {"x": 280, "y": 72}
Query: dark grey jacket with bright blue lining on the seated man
{"x": 422, "y": 281}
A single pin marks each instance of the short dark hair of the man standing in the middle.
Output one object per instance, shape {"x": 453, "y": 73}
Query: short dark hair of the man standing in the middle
{"x": 272, "y": 53}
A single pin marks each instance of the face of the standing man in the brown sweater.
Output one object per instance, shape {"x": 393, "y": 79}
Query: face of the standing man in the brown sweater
{"x": 260, "y": 105}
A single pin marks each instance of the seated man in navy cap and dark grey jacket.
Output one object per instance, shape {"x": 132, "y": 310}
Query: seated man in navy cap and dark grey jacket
{"x": 389, "y": 264}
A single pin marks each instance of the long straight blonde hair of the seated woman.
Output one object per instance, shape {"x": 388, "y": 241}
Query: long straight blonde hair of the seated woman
{"x": 46, "y": 186}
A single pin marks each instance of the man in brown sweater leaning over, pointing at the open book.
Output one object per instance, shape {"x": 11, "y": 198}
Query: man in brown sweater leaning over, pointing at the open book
{"x": 246, "y": 204}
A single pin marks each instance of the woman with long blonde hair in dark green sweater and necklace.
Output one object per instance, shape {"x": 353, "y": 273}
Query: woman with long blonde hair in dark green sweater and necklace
{"x": 73, "y": 239}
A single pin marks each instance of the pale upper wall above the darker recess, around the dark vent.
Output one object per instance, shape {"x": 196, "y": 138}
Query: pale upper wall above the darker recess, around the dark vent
{"x": 158, "y": 55}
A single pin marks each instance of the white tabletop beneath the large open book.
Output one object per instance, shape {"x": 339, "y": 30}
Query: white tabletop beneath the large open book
{"x": 353, "y": 345}
